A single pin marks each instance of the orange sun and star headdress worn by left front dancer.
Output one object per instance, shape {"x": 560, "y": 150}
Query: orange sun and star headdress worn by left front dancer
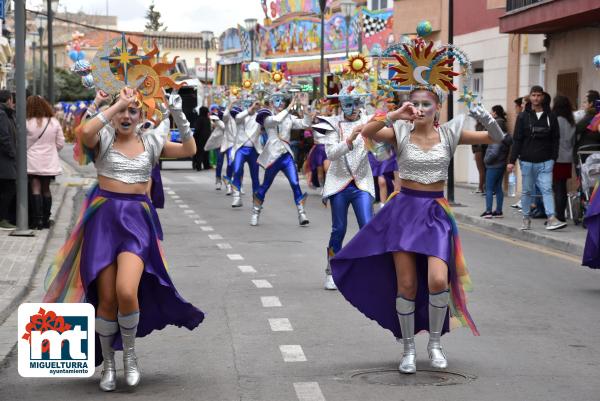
{"x": 117, "y": 66}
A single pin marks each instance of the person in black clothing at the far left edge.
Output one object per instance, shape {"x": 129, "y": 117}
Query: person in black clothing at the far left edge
{"x": 8, "y": 161}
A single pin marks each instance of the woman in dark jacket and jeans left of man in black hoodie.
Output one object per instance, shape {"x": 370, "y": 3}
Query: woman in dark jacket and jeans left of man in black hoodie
{"x": 495, "y": 159}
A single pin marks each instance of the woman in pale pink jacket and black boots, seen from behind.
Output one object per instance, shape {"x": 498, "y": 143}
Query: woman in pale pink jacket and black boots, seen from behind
{"x": 44, "y": 140}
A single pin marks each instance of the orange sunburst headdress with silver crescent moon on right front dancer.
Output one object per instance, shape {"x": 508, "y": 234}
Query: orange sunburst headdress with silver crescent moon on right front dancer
{"x": 423, "y": 66}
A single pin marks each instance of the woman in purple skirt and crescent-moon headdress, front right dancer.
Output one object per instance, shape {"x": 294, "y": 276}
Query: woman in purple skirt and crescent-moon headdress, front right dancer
{"x": 405, "y": 266}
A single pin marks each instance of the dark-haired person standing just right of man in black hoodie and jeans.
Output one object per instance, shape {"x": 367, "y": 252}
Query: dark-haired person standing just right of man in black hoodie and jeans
{"x": 564, "y": 164}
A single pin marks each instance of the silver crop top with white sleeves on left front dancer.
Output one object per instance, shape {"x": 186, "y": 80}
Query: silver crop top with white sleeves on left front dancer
{"x": 113, "y": 164}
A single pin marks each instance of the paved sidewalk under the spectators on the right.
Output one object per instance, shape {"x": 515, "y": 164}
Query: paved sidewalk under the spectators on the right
{"x": 570, "y": 239}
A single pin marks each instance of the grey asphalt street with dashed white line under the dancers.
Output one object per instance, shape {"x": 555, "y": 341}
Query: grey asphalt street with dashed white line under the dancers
{"x": 272, "y": 333}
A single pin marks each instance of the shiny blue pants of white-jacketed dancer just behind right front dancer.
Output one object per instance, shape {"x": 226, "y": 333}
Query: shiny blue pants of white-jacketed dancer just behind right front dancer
{"x": 362, "y": 203}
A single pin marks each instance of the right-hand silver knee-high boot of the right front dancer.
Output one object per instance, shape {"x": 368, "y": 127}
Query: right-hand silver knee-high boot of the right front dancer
{"x": 438, "y": 308}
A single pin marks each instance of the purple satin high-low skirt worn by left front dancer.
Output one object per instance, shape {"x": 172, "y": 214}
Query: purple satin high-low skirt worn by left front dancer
{"x": 128, "y": 223}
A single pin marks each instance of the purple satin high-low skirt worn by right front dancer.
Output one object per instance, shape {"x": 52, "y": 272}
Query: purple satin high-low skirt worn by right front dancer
{"x": 364, "y": 272}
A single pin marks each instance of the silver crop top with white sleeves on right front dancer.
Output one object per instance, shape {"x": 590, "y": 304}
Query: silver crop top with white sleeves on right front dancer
{"x": 427, "y": 167}
